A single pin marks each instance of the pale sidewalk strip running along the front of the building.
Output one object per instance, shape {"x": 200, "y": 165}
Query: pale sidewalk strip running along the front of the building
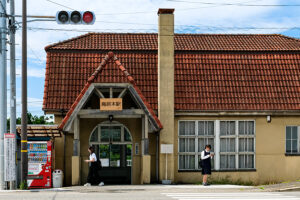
{"x": 282, "y": 187}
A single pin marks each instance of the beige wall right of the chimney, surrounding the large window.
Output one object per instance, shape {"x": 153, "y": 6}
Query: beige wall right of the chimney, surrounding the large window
{"x": 271, "y": 163}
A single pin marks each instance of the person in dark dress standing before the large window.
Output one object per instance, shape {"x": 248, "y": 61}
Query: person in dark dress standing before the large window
{"x": 206, "y": 156}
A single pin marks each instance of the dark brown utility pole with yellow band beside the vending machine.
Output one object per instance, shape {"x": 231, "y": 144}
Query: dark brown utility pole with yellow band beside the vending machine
{"x": 24, "y": 158}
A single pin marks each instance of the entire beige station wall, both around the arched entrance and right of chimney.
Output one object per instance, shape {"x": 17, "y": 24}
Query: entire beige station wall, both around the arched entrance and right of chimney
{"x": 271, "y": 163}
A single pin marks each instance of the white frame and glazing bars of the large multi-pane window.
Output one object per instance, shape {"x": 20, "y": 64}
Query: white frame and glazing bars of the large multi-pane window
{"x": 217, "y": 145}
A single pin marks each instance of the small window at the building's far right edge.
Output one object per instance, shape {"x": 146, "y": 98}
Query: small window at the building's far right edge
{"x": 292, "y": 140}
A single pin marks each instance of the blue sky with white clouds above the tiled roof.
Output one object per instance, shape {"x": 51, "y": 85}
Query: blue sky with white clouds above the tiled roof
{"x": 191, "y": 16}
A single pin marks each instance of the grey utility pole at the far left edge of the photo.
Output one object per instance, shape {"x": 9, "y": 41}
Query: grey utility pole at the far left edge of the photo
{"x": 3, "y": 89}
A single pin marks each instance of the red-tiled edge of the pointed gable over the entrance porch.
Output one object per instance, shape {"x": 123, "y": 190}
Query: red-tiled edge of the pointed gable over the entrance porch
{"x": 99, "y": 69}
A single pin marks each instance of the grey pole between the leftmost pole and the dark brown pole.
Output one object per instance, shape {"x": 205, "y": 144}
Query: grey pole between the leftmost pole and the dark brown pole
{"x": 12, "y": 31}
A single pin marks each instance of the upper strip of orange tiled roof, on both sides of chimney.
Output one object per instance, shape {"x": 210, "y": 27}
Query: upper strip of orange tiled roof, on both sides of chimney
{"x": 183, "y": 42}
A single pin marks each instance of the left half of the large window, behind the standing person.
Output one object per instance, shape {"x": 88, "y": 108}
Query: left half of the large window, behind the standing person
{"x": 193, "y": 136}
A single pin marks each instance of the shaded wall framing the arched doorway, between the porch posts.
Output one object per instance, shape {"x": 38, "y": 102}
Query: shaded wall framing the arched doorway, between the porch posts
{"x": 135, "y": 128}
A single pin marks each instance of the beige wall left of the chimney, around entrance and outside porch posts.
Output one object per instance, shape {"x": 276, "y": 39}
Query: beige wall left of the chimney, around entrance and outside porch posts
{"x": 86, "y": 127}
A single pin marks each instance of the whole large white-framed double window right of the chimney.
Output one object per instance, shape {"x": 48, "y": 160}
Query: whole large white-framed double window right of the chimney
{"x": 235, "y": 142}
